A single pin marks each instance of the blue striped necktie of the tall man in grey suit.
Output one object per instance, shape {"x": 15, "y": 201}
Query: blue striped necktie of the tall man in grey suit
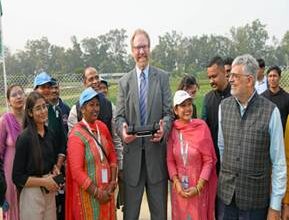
{"x": 143, "y": 98}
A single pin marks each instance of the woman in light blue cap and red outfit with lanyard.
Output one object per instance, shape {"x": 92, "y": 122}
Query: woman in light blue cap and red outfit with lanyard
{"x": 91, "y": 165}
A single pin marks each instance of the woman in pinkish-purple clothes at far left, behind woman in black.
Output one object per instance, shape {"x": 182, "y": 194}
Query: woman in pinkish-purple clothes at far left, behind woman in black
{"x": 10, "y": 128}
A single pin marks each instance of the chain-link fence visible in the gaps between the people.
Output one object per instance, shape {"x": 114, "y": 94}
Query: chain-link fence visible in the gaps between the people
{"x": 71, "y": 86}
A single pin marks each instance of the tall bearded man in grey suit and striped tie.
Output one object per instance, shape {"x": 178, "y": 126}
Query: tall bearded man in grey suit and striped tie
{"x": 144, "y": 97}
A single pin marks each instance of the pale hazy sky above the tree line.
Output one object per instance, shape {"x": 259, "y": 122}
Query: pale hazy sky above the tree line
{"x": 60, "y": 19}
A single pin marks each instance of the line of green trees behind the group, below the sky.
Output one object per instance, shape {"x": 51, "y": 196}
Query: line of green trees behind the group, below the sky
{"x": 174, "y": 52}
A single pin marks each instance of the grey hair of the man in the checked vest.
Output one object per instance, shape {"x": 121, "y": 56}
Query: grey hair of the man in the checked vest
{"x": 250, "y": 64}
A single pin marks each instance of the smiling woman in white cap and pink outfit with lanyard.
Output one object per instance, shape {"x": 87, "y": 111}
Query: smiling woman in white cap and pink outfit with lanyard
{"x": 191, "y": 163}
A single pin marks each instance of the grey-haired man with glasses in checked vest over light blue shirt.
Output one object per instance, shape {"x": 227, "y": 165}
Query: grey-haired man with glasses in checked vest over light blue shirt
{"x": 252, "y": 179}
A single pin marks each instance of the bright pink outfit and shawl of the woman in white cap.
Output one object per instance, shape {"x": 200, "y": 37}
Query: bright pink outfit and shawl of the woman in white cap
{"x": 201, "y": 161}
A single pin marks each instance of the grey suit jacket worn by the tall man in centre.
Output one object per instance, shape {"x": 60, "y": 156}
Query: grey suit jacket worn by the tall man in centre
{"x": 158, "y": 107}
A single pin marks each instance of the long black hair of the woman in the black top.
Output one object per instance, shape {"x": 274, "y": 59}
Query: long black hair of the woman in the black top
{"x": 29, "y": 124}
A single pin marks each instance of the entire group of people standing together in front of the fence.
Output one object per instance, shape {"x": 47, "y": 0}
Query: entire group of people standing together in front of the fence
{"x": 62, "y": 163}
